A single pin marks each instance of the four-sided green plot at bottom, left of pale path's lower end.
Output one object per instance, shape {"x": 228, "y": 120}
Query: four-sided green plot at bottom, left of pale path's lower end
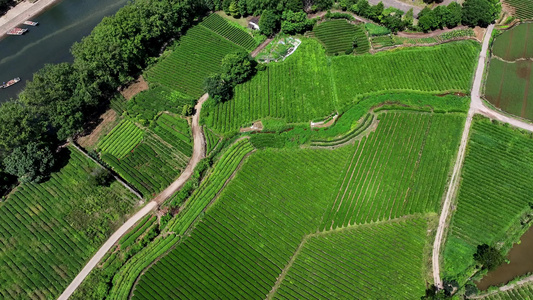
{"x": 357, "y": 263}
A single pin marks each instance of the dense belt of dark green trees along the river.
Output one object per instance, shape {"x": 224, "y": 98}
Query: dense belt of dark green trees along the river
{"x": 61, "y": 98}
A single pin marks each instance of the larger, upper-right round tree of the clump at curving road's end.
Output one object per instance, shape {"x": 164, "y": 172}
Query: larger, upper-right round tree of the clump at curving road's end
{"x": 237, "y": 67}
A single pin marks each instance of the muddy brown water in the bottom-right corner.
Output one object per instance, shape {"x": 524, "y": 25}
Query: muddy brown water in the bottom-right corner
{"x": 521, "y": 263}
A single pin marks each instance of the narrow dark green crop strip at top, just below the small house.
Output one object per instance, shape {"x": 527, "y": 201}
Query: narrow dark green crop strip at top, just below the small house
{"x": 238, "y": 36}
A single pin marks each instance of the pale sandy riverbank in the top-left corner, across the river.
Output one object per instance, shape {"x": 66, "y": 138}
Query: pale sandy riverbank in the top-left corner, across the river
{"x": 22, "y": 12}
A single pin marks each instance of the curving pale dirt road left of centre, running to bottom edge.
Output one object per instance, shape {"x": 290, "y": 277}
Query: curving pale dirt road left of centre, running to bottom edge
{"x": 197, "y": 155}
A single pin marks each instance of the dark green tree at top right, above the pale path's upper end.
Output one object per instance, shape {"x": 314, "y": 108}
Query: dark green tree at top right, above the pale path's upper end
{"x": 480, "y": 12}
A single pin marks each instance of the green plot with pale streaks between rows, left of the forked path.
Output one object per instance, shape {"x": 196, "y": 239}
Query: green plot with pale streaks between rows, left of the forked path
{"x": 400, "y": 169}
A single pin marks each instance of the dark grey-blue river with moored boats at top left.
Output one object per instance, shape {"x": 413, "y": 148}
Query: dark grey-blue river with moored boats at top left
{"x": 59, "y": 27}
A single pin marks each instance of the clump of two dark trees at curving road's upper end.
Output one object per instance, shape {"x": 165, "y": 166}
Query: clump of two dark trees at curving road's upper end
{"x": 237, "y": 68}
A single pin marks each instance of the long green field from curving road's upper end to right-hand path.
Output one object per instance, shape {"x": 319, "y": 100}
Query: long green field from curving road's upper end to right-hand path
{"x": 309, "y": 85}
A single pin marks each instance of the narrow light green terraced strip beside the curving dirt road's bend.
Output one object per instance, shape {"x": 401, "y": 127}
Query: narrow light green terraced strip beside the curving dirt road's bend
{"x": 211, "y": 185}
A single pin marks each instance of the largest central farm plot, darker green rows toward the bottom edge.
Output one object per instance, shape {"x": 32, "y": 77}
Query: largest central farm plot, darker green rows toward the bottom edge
{"x": 248, "y": 235}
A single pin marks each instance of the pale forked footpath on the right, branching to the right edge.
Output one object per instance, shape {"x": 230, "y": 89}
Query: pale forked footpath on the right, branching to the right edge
{"x": 476, "y": 107}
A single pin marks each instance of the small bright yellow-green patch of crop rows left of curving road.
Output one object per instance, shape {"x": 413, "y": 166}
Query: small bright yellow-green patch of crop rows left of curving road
{"x": 122, "y": 139}
